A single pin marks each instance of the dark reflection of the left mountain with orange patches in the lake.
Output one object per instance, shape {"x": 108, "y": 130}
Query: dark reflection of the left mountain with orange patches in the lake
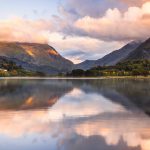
{"x": 31, "y": 94}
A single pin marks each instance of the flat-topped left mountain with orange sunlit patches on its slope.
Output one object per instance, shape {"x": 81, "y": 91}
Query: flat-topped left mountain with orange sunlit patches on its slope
{"x": 35, "y": 57}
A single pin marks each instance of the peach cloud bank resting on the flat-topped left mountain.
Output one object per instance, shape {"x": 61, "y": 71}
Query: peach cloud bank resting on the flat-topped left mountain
{"x": 19, "y": 29}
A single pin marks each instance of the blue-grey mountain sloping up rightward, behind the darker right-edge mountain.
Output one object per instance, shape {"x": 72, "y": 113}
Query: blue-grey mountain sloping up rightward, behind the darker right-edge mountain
{"x": 111, "y": 59}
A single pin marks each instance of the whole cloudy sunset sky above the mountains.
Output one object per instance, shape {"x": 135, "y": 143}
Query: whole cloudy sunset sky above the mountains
{"x": 77, "y": 29}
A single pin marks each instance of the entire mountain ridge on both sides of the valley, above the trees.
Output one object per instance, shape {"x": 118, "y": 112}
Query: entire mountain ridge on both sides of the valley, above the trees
{"x": 44, "y": 58}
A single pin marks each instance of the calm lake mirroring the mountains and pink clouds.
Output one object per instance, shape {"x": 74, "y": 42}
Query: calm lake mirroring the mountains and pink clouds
{"x": 61, "y": 114}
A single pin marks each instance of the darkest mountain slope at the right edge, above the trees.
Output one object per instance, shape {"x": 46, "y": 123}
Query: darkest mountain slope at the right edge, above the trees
{"x": 141, "y": 52}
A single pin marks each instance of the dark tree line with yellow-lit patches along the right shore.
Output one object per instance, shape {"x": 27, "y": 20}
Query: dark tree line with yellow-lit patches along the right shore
{"x": 126, "y": 68}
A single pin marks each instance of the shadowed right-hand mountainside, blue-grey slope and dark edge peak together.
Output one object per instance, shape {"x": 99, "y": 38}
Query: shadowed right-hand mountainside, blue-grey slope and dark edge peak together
{"x": 131, "y": 51}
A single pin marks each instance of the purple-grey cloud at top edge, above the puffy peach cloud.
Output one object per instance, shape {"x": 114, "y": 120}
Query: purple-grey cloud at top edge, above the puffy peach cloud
{"x": 79, "y": 8}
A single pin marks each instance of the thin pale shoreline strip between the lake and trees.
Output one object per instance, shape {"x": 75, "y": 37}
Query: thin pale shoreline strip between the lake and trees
{"x": 76, "y": 78}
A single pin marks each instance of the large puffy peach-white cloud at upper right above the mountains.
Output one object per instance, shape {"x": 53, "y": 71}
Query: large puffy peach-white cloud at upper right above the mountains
{"x": 114, "y": 25}
